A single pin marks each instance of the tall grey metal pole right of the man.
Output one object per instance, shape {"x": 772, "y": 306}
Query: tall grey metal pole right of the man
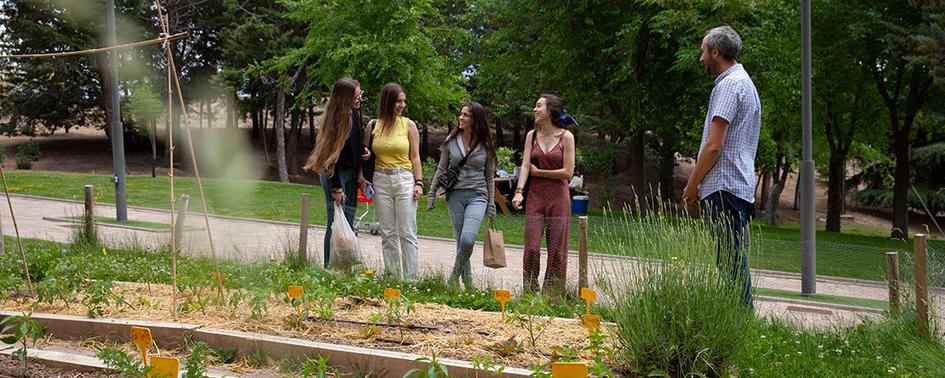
{"x": 808, "y": 220}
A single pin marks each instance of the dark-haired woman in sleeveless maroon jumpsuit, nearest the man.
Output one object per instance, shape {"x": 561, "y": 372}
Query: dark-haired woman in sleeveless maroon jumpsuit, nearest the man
{"x": 549, "y": 164}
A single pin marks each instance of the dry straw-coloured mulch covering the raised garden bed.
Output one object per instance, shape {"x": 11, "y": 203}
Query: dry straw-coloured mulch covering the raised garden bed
{"x": 450, "y": 332}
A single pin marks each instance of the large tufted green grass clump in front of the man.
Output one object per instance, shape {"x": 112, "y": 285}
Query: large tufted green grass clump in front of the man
{"x": 676, "y": 312}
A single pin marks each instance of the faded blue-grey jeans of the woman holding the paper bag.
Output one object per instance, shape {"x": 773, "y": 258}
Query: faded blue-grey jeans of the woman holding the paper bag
{"x": 467, "y": 208}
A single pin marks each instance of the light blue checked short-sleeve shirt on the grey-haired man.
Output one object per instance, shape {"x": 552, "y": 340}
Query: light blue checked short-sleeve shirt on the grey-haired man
{"x": 735, "y": 100}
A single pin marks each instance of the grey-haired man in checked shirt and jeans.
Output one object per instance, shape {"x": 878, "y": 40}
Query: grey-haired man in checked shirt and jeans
{"x": 724, "y": 177}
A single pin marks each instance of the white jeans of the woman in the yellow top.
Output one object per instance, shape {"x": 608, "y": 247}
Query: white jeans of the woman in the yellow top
{"x": 397, "y": 214}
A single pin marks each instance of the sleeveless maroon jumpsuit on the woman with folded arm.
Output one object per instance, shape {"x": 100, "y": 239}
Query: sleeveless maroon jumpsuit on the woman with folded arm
{"x": 547, "y": 208}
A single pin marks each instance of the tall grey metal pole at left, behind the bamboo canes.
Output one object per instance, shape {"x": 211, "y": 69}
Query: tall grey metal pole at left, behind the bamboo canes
{"x": 118, "y": 137}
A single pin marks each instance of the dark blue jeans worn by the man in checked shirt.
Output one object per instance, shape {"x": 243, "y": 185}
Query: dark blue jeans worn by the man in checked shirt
{"x": 729, "y": 216}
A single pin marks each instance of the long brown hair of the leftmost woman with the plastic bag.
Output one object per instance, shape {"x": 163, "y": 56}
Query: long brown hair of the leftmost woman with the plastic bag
{"x": 336, "y": 125}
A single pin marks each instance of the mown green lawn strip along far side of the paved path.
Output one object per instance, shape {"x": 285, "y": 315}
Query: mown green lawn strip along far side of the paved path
{"x": 841, "y": 255}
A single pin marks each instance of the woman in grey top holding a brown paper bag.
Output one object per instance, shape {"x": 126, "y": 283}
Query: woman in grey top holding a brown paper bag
{"x": 470, "y": 198}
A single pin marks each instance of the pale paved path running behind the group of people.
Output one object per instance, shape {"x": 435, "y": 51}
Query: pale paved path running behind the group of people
{"x": 249, "y": 240}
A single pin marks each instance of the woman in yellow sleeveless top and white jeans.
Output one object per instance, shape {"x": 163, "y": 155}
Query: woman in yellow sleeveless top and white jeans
{"x": 398, "y": 182}
